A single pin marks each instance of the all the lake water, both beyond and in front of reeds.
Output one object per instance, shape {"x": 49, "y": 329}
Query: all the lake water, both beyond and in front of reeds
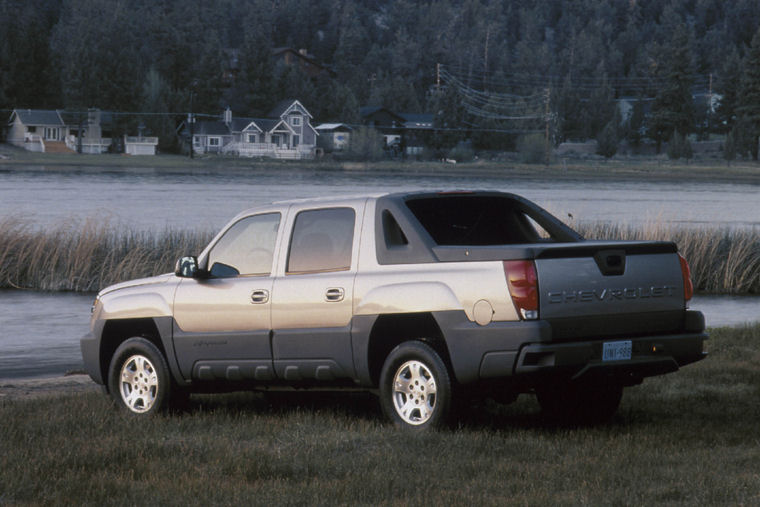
{"x": 39, "y": 333}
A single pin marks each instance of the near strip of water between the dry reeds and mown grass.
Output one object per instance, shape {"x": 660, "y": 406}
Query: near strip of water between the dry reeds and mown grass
{"x": 40, "y": 332}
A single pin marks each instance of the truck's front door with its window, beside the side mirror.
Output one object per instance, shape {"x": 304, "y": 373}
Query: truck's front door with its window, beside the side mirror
{"x": 222, "y": 324}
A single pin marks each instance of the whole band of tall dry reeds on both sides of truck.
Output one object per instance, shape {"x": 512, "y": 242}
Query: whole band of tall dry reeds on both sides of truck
{"x": 90, "y": 256}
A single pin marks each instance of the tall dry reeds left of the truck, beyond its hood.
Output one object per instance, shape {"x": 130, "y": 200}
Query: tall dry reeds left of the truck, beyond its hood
{"x": 87, "y": 256}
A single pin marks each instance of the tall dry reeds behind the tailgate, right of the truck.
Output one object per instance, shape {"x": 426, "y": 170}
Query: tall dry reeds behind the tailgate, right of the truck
{"x": 721, "y": 260}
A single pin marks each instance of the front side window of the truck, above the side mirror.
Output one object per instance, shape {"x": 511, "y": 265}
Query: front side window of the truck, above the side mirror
{"x": 247, "y": 248}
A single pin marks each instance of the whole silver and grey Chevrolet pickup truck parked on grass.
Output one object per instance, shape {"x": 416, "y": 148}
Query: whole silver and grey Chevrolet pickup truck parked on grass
{"x": 426, "y": 299}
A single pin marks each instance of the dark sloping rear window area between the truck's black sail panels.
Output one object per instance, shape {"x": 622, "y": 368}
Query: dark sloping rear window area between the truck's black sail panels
{"x": 476, "y": 221}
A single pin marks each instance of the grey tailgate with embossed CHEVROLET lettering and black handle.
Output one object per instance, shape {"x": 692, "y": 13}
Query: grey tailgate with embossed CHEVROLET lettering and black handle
{"x": 611, "y": 289}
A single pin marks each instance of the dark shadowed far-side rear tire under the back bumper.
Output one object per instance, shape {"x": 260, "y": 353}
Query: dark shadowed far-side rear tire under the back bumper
{"x": 585, "y": 404}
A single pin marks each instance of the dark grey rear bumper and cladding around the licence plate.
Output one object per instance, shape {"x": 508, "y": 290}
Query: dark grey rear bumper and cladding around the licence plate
{"x": 529, "y": 353}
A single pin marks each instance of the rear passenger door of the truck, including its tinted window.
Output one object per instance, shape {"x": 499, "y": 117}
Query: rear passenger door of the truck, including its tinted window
{"x": 313, "y": 295}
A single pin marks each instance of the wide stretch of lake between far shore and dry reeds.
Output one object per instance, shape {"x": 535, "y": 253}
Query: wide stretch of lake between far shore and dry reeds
{"x": 147, "y": 199}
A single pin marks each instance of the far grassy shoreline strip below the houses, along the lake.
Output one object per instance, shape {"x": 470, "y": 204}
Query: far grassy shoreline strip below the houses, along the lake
{"x": 620, "y": 169}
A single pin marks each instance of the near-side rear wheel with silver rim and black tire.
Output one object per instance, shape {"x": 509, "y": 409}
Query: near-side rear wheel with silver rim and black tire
{"x": 415, "y": 387}
